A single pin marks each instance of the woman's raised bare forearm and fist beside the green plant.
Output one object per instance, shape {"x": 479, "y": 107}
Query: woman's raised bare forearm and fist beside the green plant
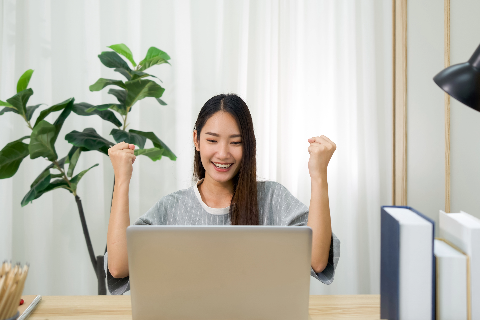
{"x": 122, "y": 158}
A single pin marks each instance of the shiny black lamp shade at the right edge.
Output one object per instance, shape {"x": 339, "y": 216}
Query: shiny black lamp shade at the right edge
{"x": 462, "y": 81}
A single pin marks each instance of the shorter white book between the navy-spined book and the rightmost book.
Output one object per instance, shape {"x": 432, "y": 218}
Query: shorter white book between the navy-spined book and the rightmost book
{"x": 451, "y": 282}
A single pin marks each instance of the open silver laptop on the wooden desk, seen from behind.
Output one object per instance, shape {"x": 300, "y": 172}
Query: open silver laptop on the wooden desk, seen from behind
{"x": 219, "y": 272}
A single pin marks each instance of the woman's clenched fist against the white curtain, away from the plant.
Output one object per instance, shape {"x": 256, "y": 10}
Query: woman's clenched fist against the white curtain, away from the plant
{"x": 321, "y": 150}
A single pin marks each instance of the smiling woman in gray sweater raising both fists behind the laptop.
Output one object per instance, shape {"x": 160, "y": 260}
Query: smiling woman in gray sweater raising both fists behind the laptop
{"x": 226, "y": 191}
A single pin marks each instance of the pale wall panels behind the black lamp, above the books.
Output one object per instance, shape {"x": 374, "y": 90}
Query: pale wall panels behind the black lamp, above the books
{"x": 426, "y": 115}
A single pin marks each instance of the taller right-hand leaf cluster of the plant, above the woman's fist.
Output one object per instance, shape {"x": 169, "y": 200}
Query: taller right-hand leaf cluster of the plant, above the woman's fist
{"x": 136, "y": 86}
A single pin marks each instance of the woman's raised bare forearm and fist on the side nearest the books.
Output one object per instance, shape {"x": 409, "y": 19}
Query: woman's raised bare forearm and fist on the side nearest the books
{"x": 321, "y": 150}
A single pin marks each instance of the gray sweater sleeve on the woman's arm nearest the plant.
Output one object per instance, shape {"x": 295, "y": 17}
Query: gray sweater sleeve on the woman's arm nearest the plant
{"x": 117, "y": 286}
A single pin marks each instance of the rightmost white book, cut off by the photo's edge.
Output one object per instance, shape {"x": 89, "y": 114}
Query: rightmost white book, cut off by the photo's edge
{"x": 463, "y": 231}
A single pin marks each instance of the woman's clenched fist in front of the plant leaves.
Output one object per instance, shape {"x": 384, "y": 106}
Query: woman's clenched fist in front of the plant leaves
{"x": 122, "y": 158}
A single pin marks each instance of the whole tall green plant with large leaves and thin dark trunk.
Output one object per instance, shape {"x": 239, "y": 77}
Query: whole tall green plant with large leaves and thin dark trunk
{"x": 44, "y": 134}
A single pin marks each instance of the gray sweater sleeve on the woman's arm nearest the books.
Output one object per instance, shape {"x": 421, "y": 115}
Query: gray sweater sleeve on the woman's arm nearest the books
{"x": 295, "y": 213}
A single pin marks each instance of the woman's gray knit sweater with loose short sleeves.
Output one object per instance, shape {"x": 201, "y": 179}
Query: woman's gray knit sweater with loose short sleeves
{"x": 277, "y": 207}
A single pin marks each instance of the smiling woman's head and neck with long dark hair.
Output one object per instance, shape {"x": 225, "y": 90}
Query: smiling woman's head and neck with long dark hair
{"x": 227, "y": 119}
